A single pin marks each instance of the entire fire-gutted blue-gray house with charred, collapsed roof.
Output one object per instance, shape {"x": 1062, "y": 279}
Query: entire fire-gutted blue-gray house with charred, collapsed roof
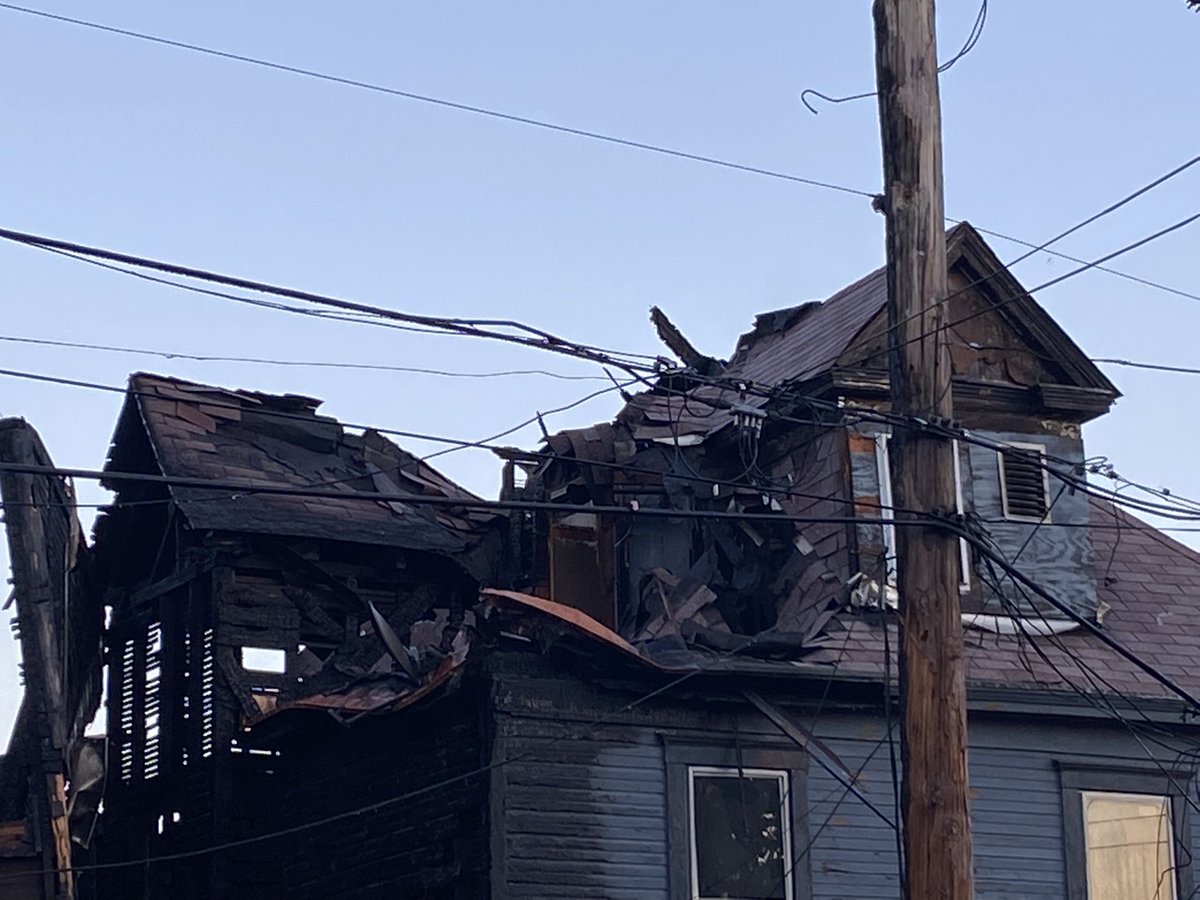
{"x": 665, "y": 668}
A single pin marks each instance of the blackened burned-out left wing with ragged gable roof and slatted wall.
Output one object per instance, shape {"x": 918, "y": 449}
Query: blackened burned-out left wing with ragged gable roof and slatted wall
{"x": 232, "y": 608}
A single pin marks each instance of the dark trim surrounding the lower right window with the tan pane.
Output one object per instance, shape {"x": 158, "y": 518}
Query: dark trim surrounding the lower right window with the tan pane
{"x": 1079, "y": 779}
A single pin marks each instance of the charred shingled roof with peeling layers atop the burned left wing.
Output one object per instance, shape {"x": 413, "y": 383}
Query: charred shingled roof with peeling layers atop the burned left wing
{"x": 201, "y": 431}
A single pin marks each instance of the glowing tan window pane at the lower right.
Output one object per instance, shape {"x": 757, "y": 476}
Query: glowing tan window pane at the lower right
{"x": 1129, "y": 845}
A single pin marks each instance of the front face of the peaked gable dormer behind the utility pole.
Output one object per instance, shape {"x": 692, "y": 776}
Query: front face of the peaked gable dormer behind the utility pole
{"x": 1023, "y": 388}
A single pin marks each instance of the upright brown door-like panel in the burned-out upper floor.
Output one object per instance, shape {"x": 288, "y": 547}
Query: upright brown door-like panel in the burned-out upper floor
{"x": 581, "y": 567}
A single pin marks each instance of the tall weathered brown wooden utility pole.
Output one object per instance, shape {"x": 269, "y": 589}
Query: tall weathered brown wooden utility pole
{"x": 933, "y": 692}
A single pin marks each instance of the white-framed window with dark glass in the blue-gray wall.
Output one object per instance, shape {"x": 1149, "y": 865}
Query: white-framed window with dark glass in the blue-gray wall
{"x": 740, "y": 833}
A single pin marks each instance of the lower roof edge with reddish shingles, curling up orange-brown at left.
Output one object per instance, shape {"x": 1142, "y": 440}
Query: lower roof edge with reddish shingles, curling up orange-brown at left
{"x": 1150, "y": 583}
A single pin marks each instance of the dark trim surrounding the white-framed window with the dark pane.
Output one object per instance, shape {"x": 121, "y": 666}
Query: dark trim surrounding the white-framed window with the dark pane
{"x": 681, "y": 758}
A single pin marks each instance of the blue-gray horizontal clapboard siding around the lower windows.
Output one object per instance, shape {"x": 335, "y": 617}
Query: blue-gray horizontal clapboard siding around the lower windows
{"x": 586, "y": 817}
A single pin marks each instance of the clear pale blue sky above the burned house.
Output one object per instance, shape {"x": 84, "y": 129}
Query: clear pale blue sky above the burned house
{"x": 1063, "y": 109}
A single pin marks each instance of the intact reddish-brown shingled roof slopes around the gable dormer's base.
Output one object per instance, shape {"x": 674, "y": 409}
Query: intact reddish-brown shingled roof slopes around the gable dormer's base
{"x": 1151, "y": 584}
